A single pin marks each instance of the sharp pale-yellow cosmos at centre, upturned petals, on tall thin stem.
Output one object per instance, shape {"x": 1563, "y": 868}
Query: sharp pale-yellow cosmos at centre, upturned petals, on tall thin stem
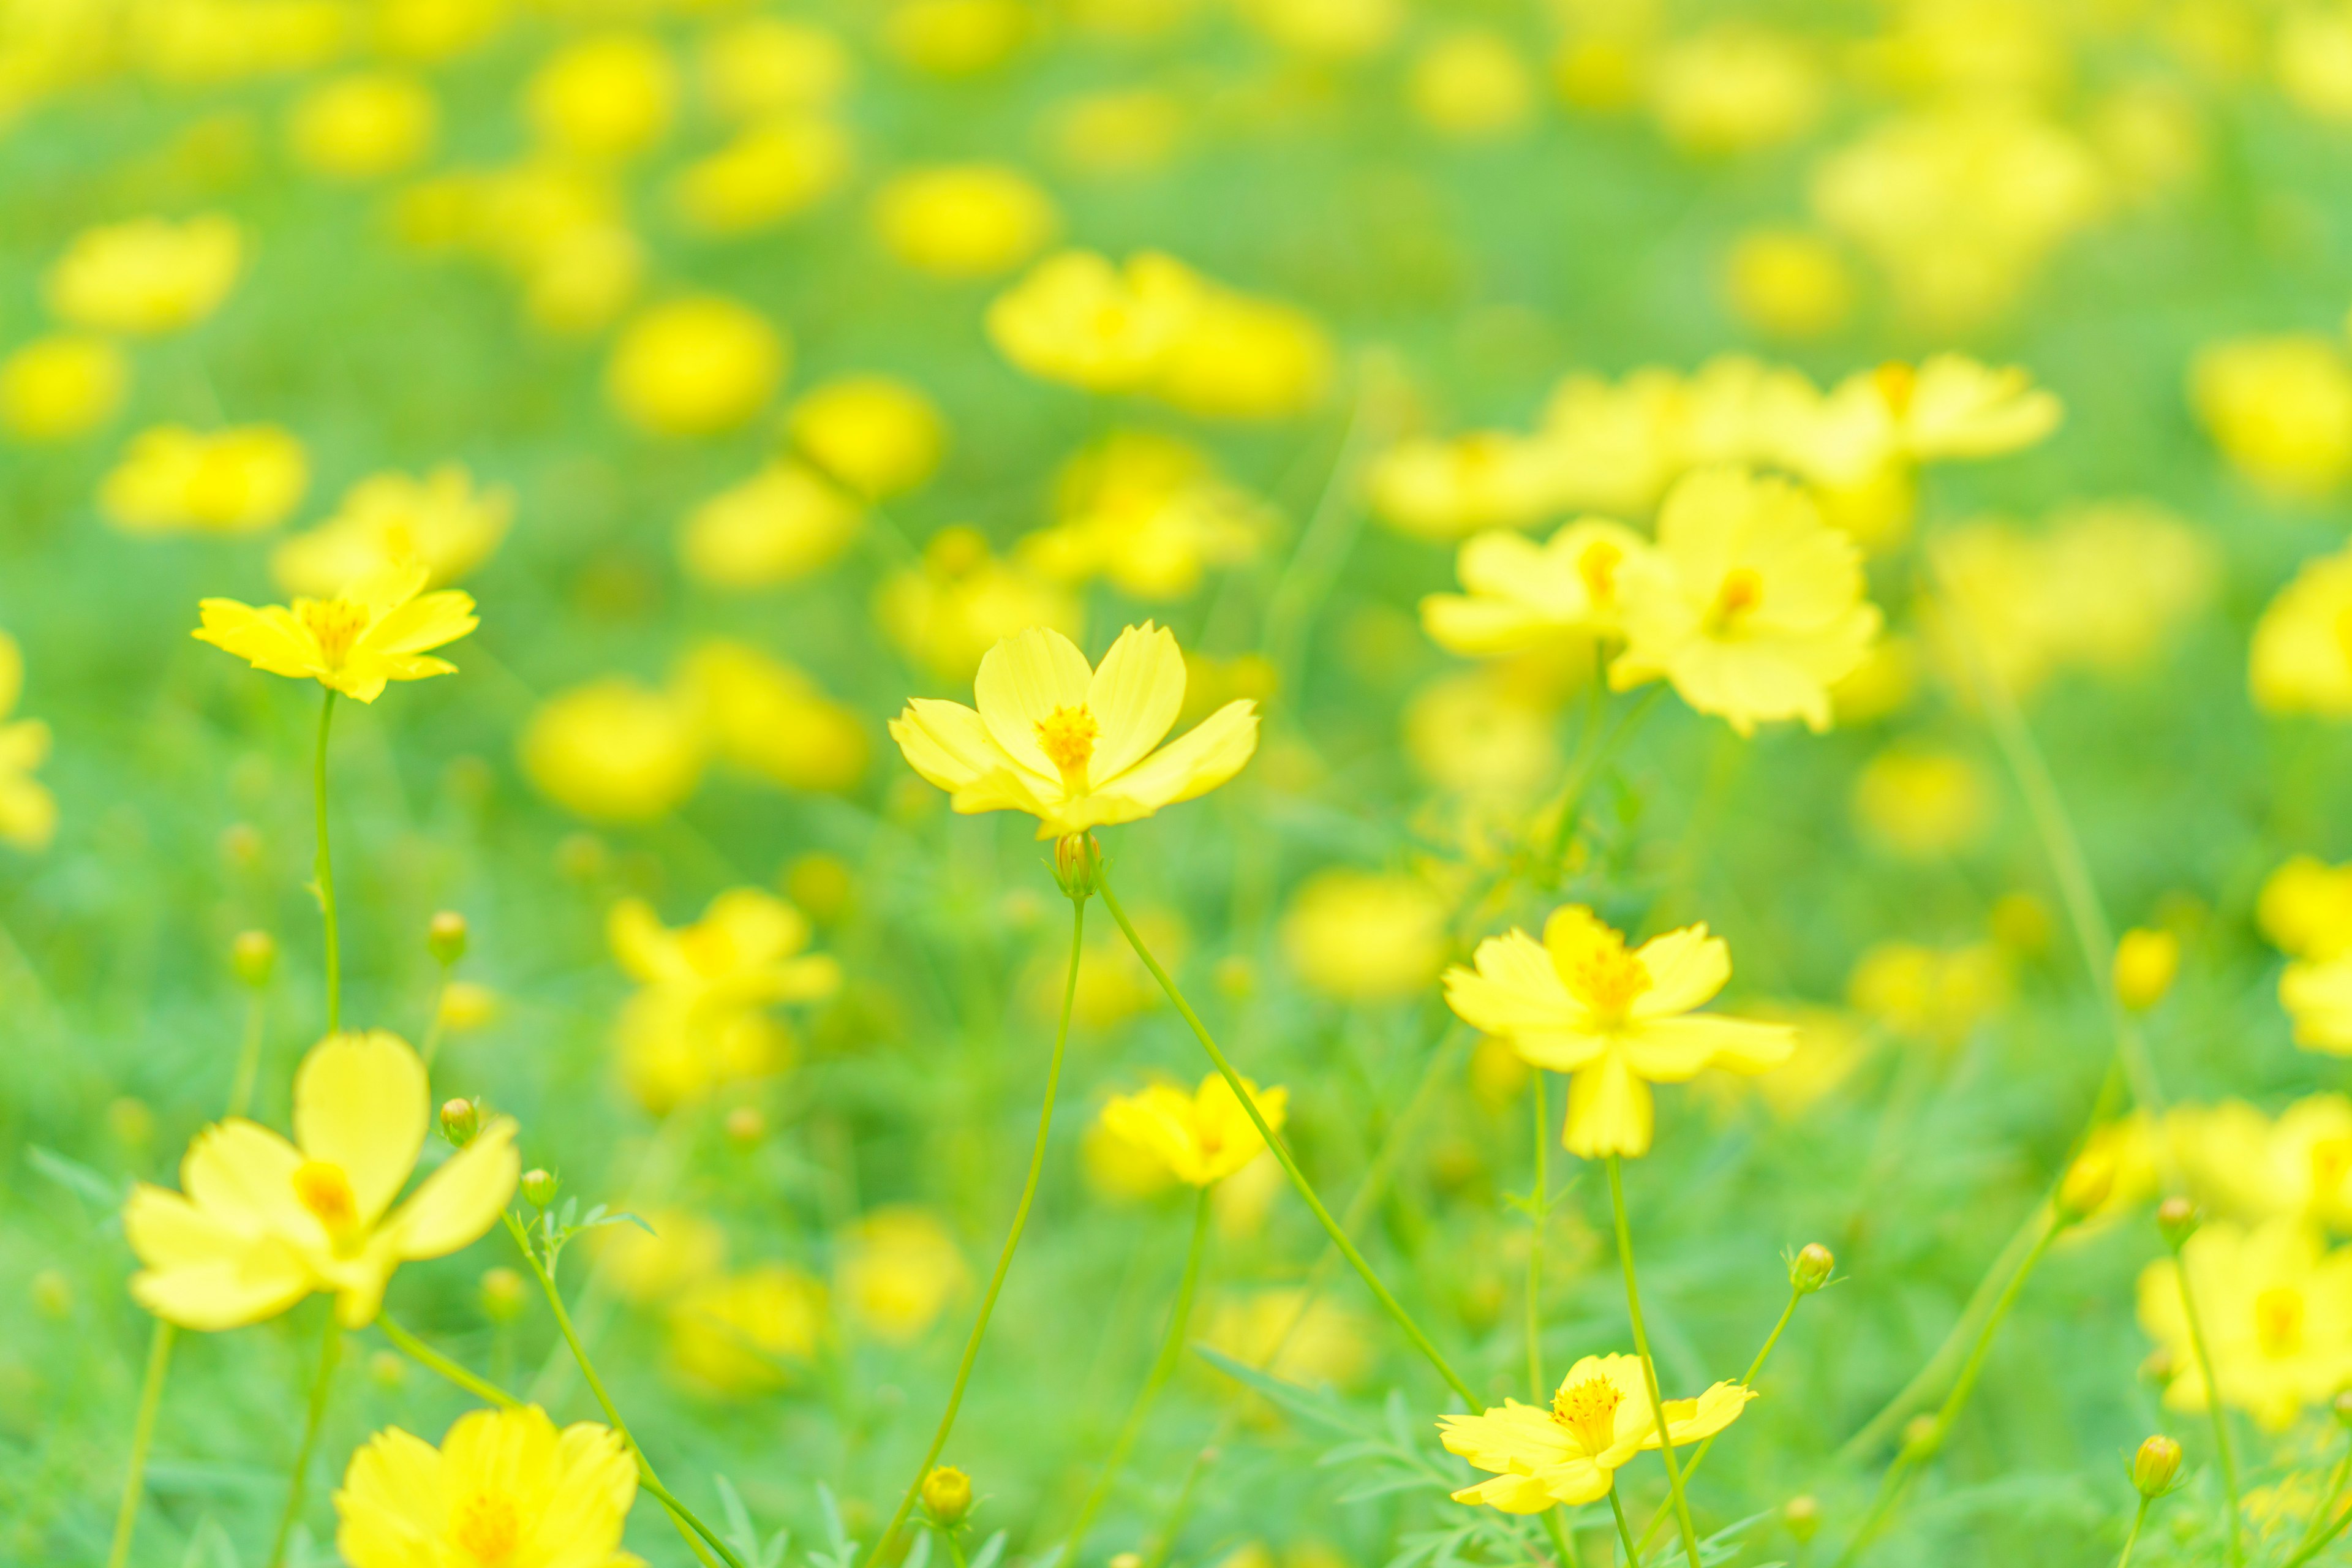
{"x": 1074, "y": 746}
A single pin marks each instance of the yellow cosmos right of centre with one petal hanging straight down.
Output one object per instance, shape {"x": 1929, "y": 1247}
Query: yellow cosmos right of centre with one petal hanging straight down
{"x": 1617, "y": 1019}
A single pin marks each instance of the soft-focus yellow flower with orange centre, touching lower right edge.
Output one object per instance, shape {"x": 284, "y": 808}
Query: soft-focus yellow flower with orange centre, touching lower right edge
{"x": 2276, "y": 1313}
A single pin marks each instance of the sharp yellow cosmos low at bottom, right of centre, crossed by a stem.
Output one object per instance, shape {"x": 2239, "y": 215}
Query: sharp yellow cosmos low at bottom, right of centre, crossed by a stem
{"x": 1570, "y": 1454}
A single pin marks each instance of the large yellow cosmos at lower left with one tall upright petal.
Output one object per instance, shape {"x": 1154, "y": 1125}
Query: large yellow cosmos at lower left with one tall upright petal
{"x": 265, "y": 1224}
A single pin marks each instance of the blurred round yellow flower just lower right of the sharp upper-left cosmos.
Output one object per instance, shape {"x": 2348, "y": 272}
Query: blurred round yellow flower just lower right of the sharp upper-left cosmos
{"x": 615, "y": 751}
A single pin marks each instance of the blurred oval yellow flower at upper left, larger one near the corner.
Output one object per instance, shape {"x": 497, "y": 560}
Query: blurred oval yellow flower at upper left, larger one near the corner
{"x": 147, "y": 276}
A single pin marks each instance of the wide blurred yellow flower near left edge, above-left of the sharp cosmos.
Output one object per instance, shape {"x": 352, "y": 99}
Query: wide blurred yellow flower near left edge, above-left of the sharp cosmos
{"x": 239, "y": 481}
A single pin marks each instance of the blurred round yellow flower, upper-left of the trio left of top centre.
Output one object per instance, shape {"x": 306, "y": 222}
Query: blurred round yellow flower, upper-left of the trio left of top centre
{"x": 695, "y": 366}
